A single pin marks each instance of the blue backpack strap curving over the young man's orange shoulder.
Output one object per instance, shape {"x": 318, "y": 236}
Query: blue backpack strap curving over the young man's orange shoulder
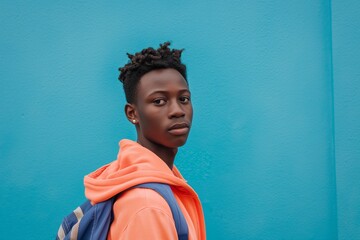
{"x": 165, "y": 191}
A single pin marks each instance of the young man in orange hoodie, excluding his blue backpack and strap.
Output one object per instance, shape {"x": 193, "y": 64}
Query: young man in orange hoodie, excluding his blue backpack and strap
{"x": 159, "y": 106}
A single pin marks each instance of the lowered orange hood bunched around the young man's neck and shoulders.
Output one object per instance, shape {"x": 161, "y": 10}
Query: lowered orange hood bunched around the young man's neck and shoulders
{"x": 135, "y": 165}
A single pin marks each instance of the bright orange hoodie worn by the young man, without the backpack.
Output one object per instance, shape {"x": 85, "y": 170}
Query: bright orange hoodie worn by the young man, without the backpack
{"x": 142, "y": 213}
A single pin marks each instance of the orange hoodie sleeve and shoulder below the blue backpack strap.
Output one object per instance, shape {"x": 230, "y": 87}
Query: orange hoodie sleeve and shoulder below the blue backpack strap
{"x": 142, "y": 214}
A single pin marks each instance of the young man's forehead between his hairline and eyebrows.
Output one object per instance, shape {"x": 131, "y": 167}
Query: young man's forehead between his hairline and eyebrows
{"x": 161, "y": 80}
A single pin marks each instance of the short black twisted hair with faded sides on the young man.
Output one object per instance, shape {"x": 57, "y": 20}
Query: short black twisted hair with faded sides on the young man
{"x": 145, "y": 61}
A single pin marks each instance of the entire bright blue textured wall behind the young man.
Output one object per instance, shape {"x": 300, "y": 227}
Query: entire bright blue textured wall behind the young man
{"x": 275, "y": 140}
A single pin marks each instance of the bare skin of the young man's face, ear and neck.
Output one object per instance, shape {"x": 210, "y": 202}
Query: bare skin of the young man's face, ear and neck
{"x": 162, "y": 112}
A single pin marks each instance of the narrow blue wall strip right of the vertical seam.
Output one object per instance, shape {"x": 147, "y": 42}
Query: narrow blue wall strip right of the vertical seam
{"x": 346, "y": 62}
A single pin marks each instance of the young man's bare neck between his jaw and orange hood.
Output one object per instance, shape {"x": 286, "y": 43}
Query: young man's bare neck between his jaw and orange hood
{"x": 164, "y": 153}
